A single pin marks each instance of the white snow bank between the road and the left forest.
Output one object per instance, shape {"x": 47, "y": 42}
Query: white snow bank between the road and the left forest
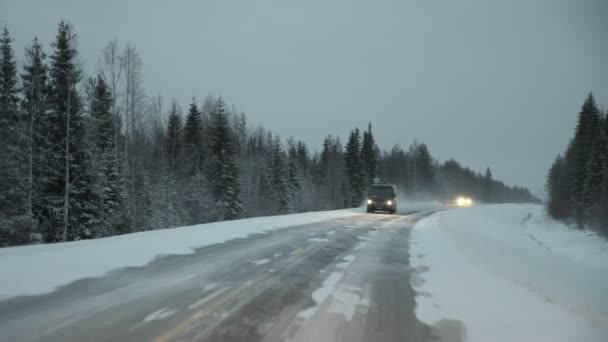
{"x": 39, "y": 269}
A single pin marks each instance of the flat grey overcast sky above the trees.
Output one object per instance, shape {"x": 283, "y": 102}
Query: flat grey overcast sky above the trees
{"x": 490, "y": 83}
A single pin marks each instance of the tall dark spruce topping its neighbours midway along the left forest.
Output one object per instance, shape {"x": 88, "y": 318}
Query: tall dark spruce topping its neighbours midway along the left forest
{"x": 223, "y": 171}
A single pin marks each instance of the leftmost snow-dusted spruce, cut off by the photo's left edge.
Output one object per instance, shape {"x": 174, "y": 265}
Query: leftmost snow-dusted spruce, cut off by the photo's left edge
{"x": 16, "y": 224}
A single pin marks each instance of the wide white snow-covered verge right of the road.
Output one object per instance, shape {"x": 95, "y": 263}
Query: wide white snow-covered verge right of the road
{"x": 494, "y": 269}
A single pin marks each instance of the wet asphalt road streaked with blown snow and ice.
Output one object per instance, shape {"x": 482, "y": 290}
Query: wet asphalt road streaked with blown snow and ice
{"x": 339, "y": 280}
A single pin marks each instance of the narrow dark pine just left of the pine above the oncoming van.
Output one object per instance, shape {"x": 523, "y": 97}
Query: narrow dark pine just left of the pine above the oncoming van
{"x": 354, "y": 173}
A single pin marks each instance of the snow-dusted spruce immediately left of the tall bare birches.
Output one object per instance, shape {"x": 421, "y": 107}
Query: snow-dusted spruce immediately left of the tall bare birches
{"x": 110, "y": 188}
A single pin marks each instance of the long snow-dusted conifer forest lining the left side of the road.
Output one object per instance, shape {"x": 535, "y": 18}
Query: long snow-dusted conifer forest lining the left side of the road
{"x": 88, "y": 157}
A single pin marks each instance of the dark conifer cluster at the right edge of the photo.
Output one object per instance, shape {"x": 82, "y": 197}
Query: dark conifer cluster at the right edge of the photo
{"x": 577, "y": 183}
